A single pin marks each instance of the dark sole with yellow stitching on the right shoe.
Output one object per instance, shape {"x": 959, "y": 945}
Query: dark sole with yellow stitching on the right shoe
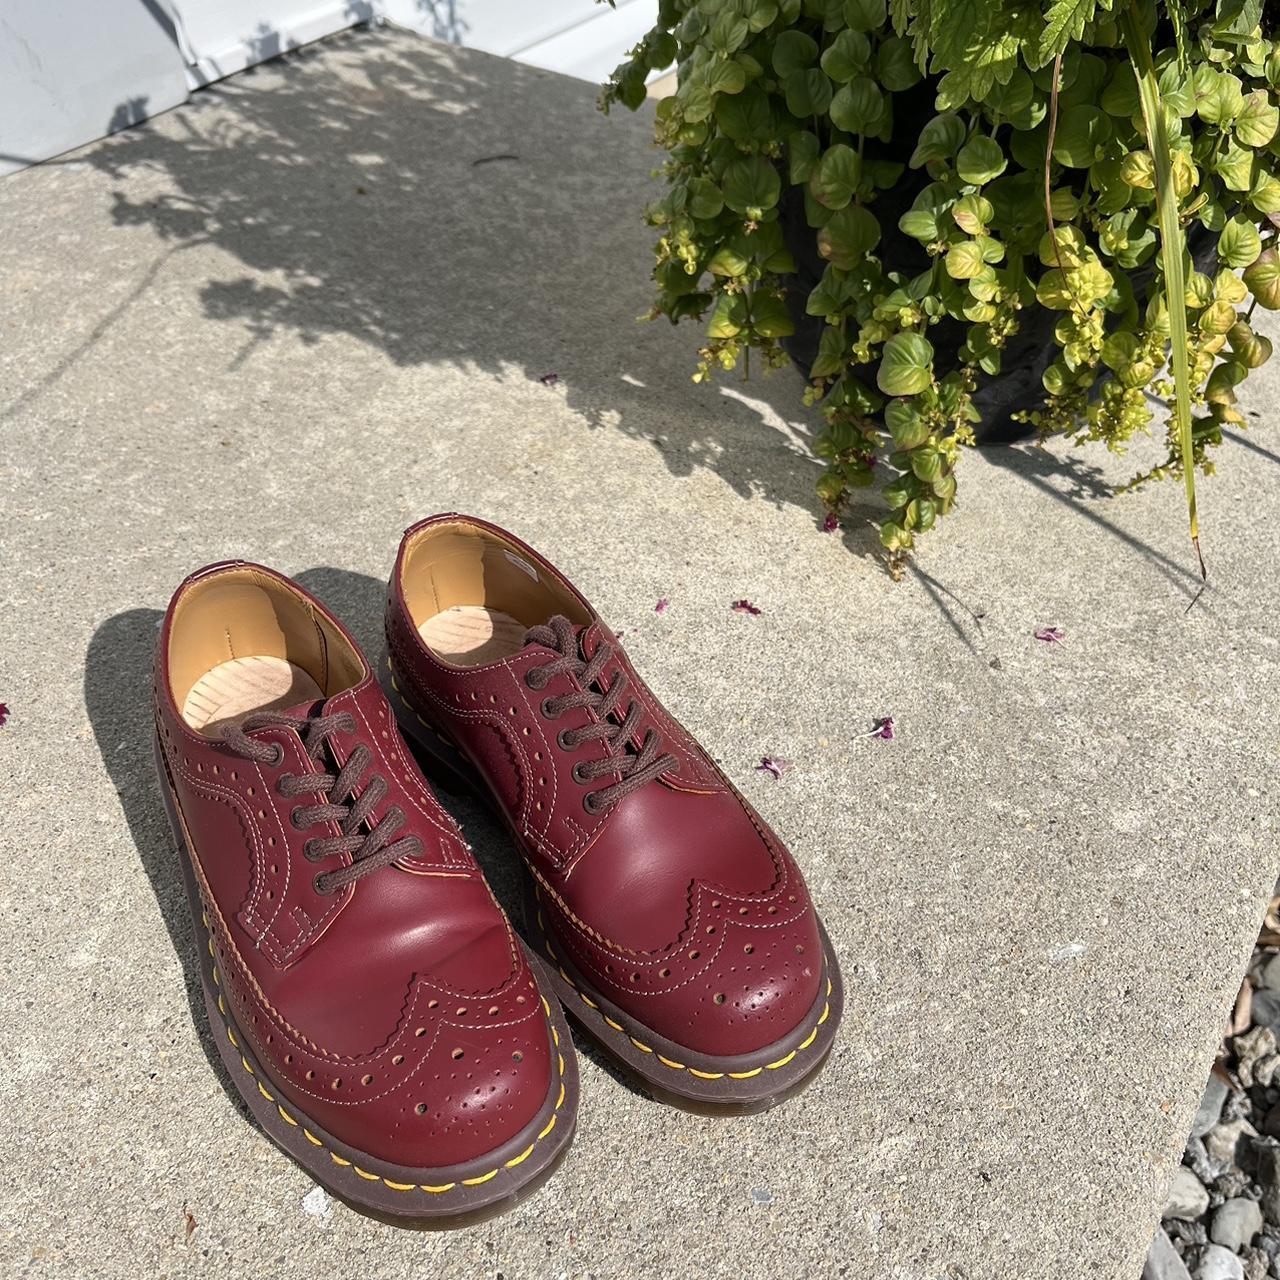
{"x": 670, "y": 1073}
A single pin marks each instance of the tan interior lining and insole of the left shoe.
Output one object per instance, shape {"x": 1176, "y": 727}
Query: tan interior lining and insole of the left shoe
{"x": 241, "y": 639}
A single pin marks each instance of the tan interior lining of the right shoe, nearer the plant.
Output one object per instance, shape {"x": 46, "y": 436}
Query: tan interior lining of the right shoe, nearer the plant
{"x": 473, "y": 595}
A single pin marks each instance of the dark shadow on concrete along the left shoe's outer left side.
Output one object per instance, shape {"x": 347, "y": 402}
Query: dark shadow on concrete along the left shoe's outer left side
{"x": 118, "y": 698}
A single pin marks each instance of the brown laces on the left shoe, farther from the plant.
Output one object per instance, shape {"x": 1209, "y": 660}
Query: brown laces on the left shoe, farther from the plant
{"x": 368, "y": 849}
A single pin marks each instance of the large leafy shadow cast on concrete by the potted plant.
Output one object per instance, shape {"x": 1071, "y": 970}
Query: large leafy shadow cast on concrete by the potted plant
{"x": 473, "y": 211}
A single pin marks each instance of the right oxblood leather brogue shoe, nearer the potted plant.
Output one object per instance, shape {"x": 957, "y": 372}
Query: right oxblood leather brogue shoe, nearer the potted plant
{"x": 680, "y": 930}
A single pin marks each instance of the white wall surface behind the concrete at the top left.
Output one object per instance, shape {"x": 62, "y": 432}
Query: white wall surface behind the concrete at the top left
{"x": 74, "y": 71}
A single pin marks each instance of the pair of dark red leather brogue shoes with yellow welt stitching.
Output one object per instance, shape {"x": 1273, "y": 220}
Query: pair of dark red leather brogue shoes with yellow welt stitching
{"x": 372, "y": 1002}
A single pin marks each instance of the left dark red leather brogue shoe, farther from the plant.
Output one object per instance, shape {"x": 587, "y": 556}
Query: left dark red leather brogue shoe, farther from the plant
{"x": 367, "y": 993}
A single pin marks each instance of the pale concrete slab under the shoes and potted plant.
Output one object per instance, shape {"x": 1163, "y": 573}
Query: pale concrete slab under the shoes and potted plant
{"x": 290, "y": 318}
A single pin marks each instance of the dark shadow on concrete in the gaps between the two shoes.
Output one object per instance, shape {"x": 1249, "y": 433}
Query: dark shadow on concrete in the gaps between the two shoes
{"x": 359, "y": 601}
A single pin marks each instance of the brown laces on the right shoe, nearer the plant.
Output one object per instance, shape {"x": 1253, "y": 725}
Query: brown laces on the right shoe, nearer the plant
{"x": 633, "y": 769}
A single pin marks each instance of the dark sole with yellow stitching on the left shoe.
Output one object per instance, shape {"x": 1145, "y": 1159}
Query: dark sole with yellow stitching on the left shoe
{"x": 441, "y": 1197}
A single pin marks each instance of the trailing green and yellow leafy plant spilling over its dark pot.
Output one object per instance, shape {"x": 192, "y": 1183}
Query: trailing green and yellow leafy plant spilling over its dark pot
{"x": 1104, "y": 171}
